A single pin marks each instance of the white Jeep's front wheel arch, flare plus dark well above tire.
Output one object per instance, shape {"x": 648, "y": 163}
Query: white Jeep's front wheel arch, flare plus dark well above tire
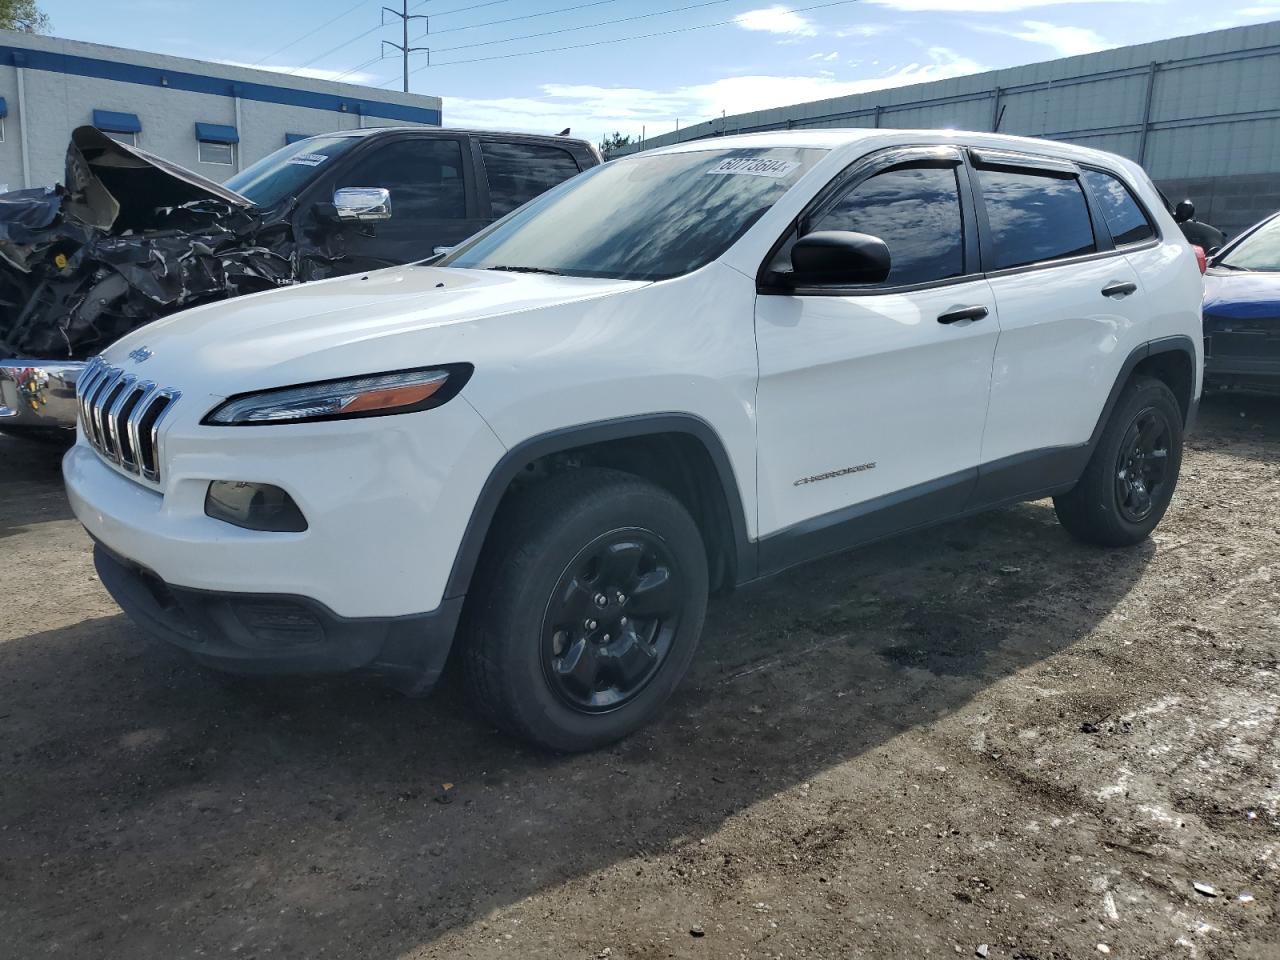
{"x": 624, "y": 444}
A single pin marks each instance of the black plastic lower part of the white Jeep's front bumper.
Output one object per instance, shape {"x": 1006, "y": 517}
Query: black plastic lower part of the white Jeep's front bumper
{"x": 244, "y": 633}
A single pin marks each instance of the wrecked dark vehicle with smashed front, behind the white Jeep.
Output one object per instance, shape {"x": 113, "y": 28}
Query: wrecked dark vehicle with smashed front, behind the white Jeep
{"x": 129, "y": 237}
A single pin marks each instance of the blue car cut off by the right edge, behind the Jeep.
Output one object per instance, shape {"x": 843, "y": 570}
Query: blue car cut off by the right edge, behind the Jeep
{"x": 1242, "y": 313}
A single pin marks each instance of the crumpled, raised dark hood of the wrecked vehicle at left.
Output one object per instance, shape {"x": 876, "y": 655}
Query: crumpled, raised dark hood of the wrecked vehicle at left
{"x": 120, "y": 188}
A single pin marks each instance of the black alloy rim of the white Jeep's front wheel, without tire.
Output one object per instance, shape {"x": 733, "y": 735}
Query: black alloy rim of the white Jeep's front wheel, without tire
{"x": 611, "y": 620}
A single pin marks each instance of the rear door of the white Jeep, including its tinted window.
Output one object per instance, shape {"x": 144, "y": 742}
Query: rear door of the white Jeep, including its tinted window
{"x": 1071, "y": 309}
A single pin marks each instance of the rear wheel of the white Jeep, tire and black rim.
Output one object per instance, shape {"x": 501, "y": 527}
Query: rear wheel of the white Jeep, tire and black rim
{"x": 1131, "y": 478}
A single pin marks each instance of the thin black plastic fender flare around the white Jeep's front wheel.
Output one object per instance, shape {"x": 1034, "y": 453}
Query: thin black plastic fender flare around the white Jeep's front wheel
{"x": 515, "y": 460}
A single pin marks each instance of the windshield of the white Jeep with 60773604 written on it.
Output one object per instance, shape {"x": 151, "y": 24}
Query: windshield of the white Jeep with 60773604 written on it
{"x": 648, "y": 218}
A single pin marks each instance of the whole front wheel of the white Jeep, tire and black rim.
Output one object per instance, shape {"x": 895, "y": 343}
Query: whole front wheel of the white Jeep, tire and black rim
{"x": 589, "y": 609}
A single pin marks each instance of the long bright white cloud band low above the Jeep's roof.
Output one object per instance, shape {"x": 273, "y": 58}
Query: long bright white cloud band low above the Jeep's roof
{"x": 591, "y": 111}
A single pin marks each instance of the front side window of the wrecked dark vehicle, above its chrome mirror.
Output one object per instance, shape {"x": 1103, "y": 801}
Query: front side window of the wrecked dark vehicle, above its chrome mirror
{"x": 424, "y": 177}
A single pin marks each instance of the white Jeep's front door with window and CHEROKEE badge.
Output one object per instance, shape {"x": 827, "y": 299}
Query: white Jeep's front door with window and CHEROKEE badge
{"x": 872, "y": 399}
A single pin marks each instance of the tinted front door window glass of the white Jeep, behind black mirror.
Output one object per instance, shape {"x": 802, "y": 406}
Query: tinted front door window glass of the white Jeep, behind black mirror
{"x": 916, "y": 211}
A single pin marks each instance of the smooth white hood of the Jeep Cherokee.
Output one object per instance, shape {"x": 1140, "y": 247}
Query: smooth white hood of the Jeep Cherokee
{"x": 368, "y": 323}
